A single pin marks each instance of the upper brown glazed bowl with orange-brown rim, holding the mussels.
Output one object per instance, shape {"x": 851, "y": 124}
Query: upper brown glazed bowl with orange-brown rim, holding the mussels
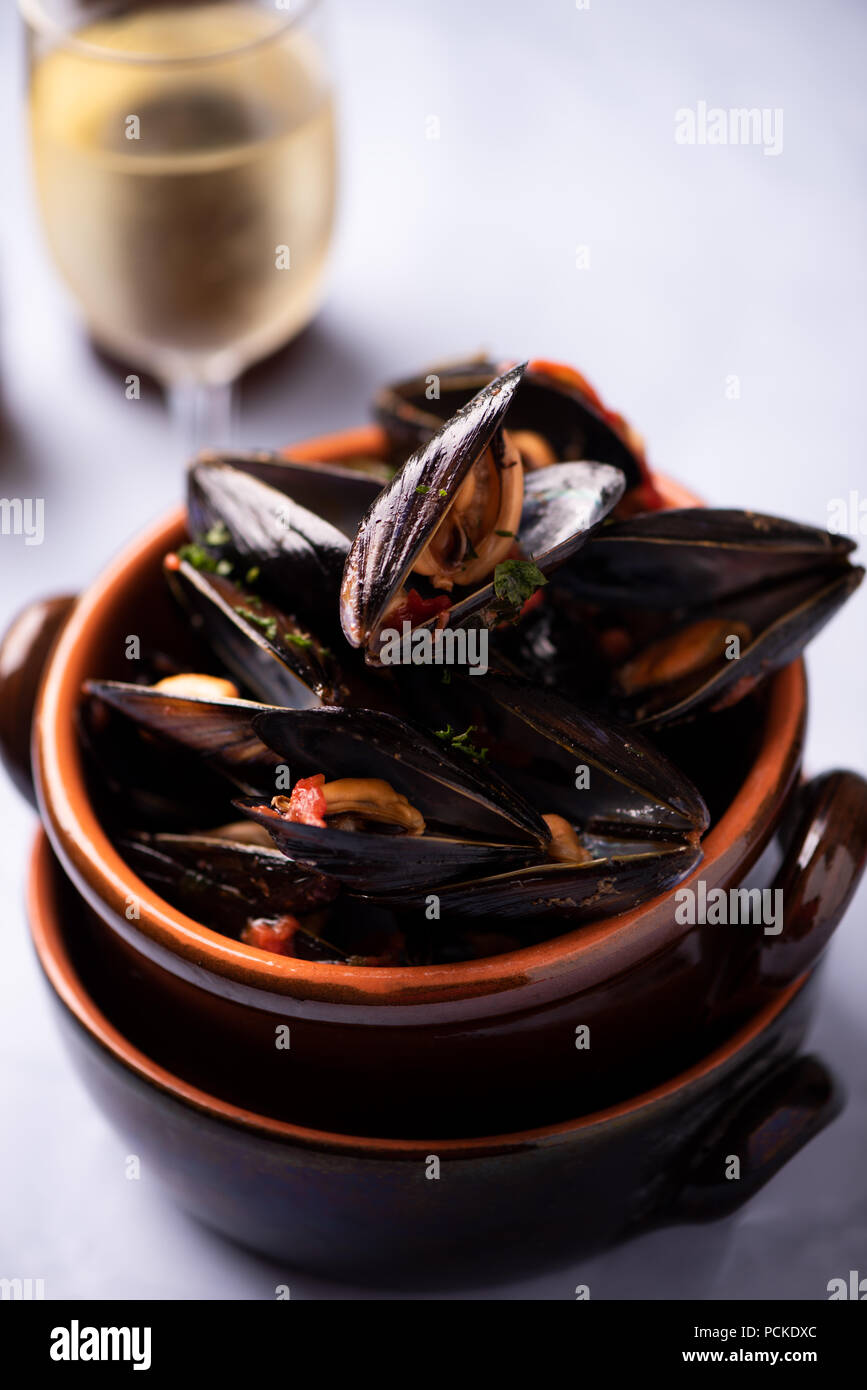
{"x": 456, "y": 1049}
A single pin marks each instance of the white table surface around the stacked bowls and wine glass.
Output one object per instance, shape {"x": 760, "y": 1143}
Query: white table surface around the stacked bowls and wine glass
{"x": 556, "y": 131}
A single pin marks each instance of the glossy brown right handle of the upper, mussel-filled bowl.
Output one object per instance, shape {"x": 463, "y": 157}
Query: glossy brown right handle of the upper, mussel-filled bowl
{"x": 823, "y": 865}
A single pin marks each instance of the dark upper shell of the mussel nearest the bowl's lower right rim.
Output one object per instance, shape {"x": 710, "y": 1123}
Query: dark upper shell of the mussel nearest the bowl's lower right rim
{"x": 543, "y": 742}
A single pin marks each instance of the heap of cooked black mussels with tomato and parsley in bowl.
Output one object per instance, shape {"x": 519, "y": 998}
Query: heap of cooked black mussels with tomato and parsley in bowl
{"x": 427, "y": 712}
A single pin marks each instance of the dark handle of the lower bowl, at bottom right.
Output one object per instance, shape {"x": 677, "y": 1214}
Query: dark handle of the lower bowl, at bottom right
{"x": 763, "y": 1129}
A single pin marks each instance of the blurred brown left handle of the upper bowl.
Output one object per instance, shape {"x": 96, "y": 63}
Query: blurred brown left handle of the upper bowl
{"x": 24, "y": 651}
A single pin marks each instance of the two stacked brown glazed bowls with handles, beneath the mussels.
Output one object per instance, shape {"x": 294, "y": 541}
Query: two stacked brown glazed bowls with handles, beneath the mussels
{"x": 486, "y": 1114}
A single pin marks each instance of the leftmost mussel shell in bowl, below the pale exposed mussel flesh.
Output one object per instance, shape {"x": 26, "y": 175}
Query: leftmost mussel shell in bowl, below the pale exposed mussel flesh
{"x": 220, "y": 730}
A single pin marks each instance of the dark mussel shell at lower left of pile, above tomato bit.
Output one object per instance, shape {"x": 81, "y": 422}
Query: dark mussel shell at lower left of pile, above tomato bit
{"x": 223, "y": 883}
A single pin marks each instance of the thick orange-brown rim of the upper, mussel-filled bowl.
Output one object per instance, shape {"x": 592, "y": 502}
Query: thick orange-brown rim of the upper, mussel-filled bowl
{"x": 108, "y": 882}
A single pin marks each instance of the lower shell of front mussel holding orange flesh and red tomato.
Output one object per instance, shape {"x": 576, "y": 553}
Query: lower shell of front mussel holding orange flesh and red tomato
{"x": 386, "y": 864}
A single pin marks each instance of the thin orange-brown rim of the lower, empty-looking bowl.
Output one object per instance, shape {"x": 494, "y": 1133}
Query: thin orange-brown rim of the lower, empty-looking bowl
{"x": 48, "y": 936}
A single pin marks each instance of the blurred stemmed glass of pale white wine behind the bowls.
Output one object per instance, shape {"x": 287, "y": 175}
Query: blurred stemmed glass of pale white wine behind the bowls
{"x": 184, "y": 161}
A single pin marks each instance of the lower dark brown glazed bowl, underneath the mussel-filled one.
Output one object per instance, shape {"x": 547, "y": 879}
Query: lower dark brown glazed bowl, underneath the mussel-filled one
{"x": 433, "y": 1210}
